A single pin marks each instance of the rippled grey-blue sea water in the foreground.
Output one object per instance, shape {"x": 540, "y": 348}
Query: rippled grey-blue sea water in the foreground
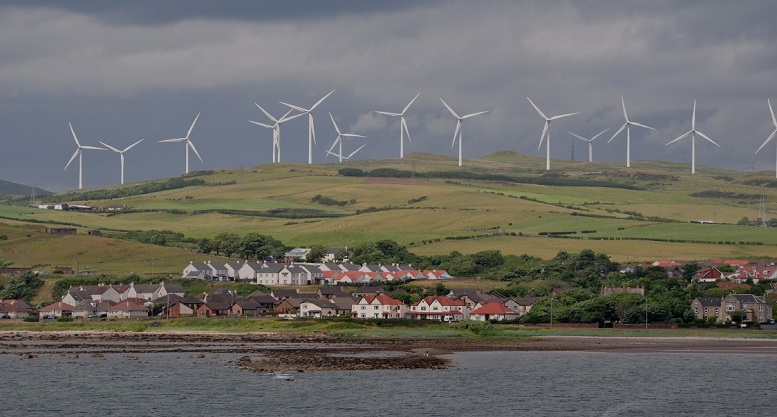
{"x": 482, "y": 384}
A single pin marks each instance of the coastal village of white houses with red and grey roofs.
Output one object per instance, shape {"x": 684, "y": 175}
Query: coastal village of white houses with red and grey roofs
{"x": 343, "y": 289}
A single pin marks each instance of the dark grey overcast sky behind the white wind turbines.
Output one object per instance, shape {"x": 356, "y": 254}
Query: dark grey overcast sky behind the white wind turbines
{"x": 122, "y": 71}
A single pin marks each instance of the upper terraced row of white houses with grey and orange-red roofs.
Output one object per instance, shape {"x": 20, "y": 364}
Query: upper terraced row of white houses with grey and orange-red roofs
{"x": 274, "y": 273}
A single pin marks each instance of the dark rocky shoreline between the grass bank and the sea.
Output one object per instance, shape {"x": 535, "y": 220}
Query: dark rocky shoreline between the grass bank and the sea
{"x": 276, "y": 352}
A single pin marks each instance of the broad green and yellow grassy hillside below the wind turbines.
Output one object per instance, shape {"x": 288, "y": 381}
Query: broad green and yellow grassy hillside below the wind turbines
{"x": 505, "y": 201}
